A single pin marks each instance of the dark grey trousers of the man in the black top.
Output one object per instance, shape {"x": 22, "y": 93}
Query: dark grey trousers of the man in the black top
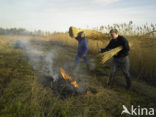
{"x": 123, "y": 64}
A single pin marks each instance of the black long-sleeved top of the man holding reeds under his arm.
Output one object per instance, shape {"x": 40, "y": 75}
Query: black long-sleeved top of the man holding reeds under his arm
{"x": 120, "y": 41}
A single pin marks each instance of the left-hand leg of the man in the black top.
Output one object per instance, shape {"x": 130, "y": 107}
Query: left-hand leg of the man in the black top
{"x": 112, "y": 72}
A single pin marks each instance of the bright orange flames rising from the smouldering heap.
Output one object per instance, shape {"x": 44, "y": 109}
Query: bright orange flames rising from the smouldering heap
{"x": 67, "y": 77}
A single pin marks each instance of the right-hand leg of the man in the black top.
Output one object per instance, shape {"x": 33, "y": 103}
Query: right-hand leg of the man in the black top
{"x": 125, "y": 69}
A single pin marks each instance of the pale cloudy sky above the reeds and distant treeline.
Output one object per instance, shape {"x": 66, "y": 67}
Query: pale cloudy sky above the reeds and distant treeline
{"x": 59, "y": 15}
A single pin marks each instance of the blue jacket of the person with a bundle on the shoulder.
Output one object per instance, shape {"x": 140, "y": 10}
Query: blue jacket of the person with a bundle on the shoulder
{"x": 82, "y": 46}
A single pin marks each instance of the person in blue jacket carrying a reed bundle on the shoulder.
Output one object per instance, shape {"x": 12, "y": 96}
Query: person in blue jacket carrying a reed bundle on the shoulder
{"x": 82, "y": 49}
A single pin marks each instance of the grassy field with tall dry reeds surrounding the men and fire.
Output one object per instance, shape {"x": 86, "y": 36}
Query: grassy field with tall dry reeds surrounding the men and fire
{"x": 22, "y": 94}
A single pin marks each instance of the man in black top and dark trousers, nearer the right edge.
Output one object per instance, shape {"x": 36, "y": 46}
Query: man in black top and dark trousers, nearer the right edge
{"x": 121, "y": 59}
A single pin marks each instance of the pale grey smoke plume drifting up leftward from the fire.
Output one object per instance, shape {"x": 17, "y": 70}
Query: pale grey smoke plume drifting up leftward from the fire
{"x": 41, "y": 60}
